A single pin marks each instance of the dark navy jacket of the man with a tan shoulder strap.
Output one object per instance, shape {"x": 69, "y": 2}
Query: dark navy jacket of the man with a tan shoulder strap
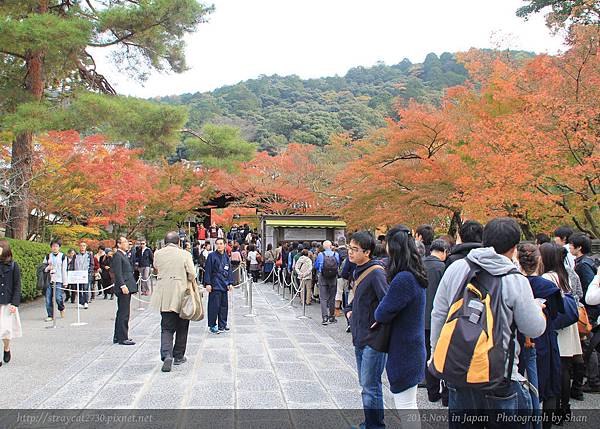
{"x": 366, "y": 299}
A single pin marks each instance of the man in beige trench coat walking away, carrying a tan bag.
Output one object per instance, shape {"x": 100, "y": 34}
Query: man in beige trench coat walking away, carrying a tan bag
{"x": 175, "y": 269}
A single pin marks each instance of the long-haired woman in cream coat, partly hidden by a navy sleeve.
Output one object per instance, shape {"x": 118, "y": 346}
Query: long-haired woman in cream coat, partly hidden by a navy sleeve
{"x": 569, "y": 345}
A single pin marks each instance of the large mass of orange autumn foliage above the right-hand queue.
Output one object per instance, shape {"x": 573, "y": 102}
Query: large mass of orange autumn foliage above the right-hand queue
{"x": 520, "y": 140}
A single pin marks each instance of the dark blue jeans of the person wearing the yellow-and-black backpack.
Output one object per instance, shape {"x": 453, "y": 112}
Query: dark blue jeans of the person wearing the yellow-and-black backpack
{"x": 508, "y": 407}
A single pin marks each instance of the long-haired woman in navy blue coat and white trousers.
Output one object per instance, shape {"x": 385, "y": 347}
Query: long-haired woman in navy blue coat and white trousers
{"x": 403, "y": 308}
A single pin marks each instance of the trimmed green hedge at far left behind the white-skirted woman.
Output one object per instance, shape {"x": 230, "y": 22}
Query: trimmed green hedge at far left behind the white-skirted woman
{"x": 28, "y": 255}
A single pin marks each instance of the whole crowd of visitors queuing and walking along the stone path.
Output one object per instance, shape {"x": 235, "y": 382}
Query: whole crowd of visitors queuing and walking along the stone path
{"x": 484, "y": 323}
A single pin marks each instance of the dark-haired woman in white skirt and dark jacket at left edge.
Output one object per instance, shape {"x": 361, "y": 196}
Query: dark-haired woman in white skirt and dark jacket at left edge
{"x": 10, "y": 298}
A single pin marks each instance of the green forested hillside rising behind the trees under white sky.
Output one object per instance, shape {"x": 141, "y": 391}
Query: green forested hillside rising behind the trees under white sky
{"x": 273, "y": 111}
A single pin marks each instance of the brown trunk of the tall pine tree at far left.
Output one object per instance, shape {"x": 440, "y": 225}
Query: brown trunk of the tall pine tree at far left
{"x": 22, "y": 150}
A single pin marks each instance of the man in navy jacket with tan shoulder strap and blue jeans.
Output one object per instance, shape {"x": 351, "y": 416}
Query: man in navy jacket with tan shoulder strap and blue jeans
{"x": 368, "y": 291}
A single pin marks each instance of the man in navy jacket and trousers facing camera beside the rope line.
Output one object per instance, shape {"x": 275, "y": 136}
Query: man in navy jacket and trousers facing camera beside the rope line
{"x": 218, "y": 278}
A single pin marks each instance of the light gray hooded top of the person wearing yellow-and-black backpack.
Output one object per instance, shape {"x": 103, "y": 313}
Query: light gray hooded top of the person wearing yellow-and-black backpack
{"x": 518, "y": 302}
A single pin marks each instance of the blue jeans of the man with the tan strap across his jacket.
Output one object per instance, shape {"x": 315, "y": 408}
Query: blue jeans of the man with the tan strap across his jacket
{"x": 370, "y": 364}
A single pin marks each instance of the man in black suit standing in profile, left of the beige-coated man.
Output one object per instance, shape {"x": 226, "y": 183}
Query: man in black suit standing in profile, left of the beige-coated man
{"x": 125, "y": 285}
